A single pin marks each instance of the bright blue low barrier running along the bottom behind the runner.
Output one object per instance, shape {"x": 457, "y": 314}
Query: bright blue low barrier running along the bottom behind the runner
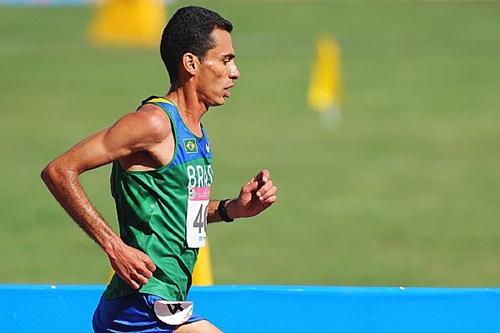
{"x": 274, "y": 309}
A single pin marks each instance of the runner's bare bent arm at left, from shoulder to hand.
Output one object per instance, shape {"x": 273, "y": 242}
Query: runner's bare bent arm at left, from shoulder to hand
{"x": 138, "y": 131}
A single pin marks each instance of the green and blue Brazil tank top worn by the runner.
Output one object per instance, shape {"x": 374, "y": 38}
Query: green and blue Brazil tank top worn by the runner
{"x": 153, "y": 208}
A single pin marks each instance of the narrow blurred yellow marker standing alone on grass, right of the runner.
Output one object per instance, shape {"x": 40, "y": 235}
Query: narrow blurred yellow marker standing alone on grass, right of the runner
{"x": 325, "y": 83}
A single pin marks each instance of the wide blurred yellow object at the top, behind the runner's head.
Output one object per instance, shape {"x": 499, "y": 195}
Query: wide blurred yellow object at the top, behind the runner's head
{"x": 129, "y": 22}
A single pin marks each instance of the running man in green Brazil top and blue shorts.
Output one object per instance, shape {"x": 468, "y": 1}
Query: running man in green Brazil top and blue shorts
{"x": 161, "y": 179}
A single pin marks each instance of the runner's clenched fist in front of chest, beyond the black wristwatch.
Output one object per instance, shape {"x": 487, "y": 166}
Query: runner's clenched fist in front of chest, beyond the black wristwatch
{"x": 255, "y": 196}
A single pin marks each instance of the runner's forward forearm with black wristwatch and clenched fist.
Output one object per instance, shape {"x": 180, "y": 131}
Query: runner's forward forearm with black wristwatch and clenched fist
{"x": 255, "y": 196}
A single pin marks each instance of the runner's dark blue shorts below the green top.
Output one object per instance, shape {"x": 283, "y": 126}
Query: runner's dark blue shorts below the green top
{"x": 132, "y": 313}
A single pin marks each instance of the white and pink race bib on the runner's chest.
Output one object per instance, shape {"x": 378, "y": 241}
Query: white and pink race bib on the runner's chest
{"x": 196, "y": 220}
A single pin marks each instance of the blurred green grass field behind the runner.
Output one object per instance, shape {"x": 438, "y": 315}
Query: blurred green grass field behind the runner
{"x": 405, "y": 192}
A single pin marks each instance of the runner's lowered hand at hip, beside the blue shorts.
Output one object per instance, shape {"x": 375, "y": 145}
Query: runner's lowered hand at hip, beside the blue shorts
{"x": 132, "y": 265}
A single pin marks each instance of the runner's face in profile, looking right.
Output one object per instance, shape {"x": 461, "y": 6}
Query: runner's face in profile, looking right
{"x": 218, "y": 70}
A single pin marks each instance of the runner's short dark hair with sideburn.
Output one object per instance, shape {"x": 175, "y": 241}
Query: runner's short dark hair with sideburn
{"x": 189, "y": 30}
